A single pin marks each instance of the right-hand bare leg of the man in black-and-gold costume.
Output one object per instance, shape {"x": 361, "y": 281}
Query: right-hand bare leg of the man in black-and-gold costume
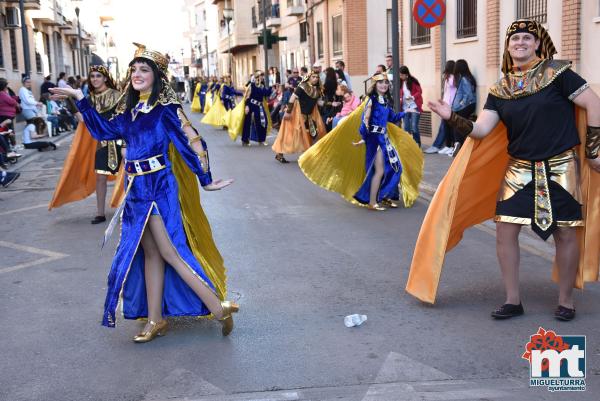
{"x": 567, "y": 259}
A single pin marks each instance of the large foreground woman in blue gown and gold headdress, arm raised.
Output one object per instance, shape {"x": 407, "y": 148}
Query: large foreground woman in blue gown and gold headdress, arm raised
{"x": 166, "y": 263}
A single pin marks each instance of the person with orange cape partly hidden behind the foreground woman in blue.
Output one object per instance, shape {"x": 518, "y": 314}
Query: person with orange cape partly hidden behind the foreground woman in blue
{"x": 90, "y": 163}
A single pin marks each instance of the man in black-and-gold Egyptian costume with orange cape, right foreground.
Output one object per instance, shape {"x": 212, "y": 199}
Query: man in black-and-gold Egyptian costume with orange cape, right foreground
{"x": 531, "y": 158}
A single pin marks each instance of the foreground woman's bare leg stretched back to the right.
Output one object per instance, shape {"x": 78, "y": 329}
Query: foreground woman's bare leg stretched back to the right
{"x": 170, "y": 255}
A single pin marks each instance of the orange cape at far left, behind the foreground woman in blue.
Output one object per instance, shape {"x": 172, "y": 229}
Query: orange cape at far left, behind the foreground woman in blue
{"x": 78, "y": 178}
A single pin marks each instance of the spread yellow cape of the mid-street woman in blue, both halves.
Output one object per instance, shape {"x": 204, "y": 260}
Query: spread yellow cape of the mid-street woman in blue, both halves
{"x": 335, "y": 164}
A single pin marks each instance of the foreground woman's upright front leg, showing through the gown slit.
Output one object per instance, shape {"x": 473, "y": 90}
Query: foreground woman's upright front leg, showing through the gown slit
{"x": 154, "y": 270}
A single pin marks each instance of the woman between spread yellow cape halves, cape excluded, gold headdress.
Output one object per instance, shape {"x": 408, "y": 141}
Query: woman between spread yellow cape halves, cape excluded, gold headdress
{"x": 380, "y": 186}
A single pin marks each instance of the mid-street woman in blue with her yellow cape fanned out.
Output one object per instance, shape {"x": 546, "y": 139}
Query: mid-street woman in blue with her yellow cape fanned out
{"x": 370, "y": 177}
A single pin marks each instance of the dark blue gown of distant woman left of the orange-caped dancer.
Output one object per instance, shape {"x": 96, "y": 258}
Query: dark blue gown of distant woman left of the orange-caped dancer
{"x": 256, "y": 121}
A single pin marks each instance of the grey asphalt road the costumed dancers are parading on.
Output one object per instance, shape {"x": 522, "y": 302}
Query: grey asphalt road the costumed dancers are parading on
{"x": 299, "y": 259}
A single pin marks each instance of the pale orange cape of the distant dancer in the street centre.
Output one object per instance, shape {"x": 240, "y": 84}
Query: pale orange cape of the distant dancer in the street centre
{"x": 293, "y": 136}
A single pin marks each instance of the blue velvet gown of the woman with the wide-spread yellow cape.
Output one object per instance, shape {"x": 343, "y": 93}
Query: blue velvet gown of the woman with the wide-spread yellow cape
{"x": 376, "y": 137}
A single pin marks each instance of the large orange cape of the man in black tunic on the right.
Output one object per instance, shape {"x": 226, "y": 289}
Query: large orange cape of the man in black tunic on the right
{"x": 467, "y": 196}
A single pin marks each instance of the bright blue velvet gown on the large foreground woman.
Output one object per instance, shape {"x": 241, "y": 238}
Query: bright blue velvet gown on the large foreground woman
{"x": 150, "y": 134}
